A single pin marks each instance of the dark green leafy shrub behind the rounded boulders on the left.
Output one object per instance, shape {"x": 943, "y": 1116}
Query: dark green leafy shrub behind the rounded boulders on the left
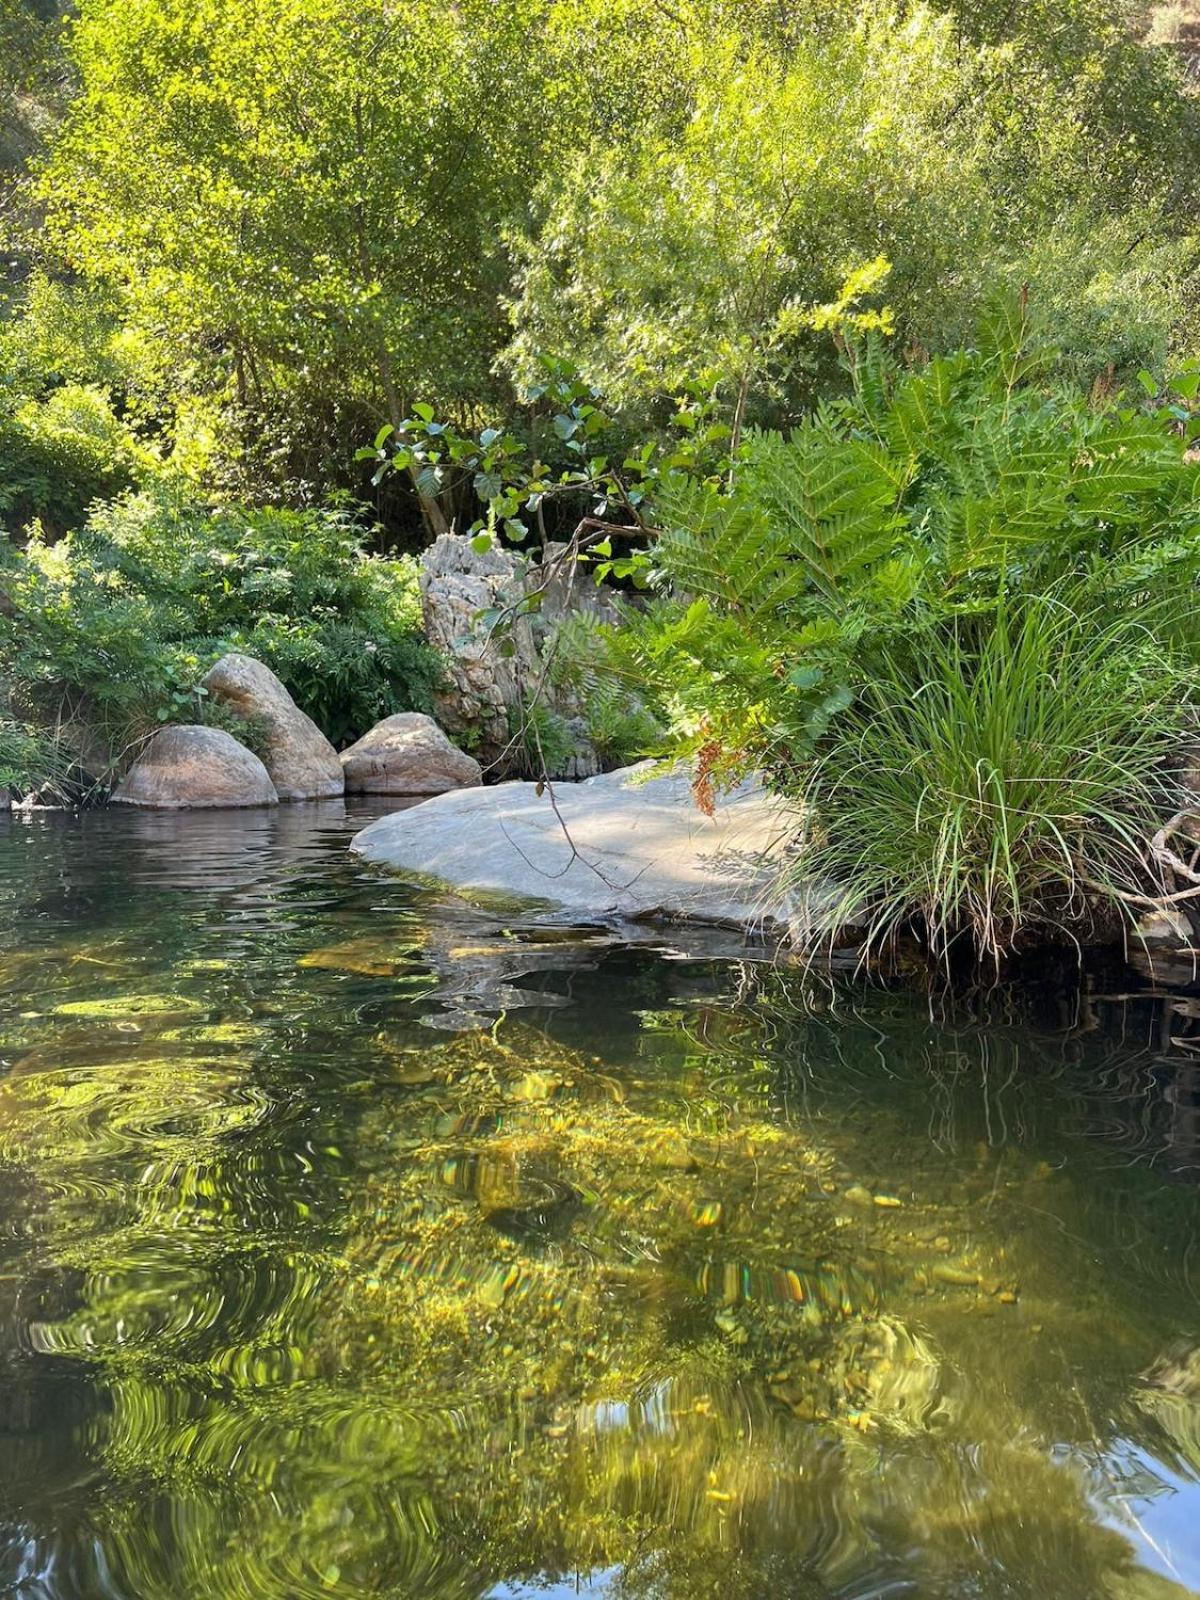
{"x": 118, "y": 623}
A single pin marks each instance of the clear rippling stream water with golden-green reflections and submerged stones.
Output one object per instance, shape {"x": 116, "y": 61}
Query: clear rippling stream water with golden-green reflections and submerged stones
{"x": 354, "y": 1244}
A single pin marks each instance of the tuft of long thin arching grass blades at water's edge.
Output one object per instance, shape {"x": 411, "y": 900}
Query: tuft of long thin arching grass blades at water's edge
{"x": 986, "y": 791}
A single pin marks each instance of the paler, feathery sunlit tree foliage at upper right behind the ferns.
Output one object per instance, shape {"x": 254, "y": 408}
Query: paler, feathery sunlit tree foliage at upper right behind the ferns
{"x": 692, "y": 250}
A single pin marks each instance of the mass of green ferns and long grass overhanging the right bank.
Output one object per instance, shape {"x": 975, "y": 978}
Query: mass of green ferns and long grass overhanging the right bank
{"x": 956, "y": 615}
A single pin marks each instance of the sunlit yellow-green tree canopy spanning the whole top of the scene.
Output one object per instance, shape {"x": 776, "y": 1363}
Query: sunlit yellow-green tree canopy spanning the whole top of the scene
{"x": 308, "y": 215}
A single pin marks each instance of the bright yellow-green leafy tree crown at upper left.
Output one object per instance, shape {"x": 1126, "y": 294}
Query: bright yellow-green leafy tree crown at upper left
{"x": 300, "y": 199}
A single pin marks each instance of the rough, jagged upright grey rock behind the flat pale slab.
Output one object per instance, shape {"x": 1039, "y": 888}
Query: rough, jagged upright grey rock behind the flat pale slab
{"x": 486, "y": 682}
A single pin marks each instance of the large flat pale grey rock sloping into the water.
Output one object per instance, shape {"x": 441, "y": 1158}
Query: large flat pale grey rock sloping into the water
{"x": 617, "y": 847}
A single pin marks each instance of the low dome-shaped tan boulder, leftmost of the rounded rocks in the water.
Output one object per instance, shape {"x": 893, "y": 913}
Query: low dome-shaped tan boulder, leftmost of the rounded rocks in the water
{"x": 196, "y": 767}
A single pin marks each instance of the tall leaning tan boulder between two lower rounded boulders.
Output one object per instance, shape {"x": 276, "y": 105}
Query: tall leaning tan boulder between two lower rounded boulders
{"x": 302, "y": 761}
